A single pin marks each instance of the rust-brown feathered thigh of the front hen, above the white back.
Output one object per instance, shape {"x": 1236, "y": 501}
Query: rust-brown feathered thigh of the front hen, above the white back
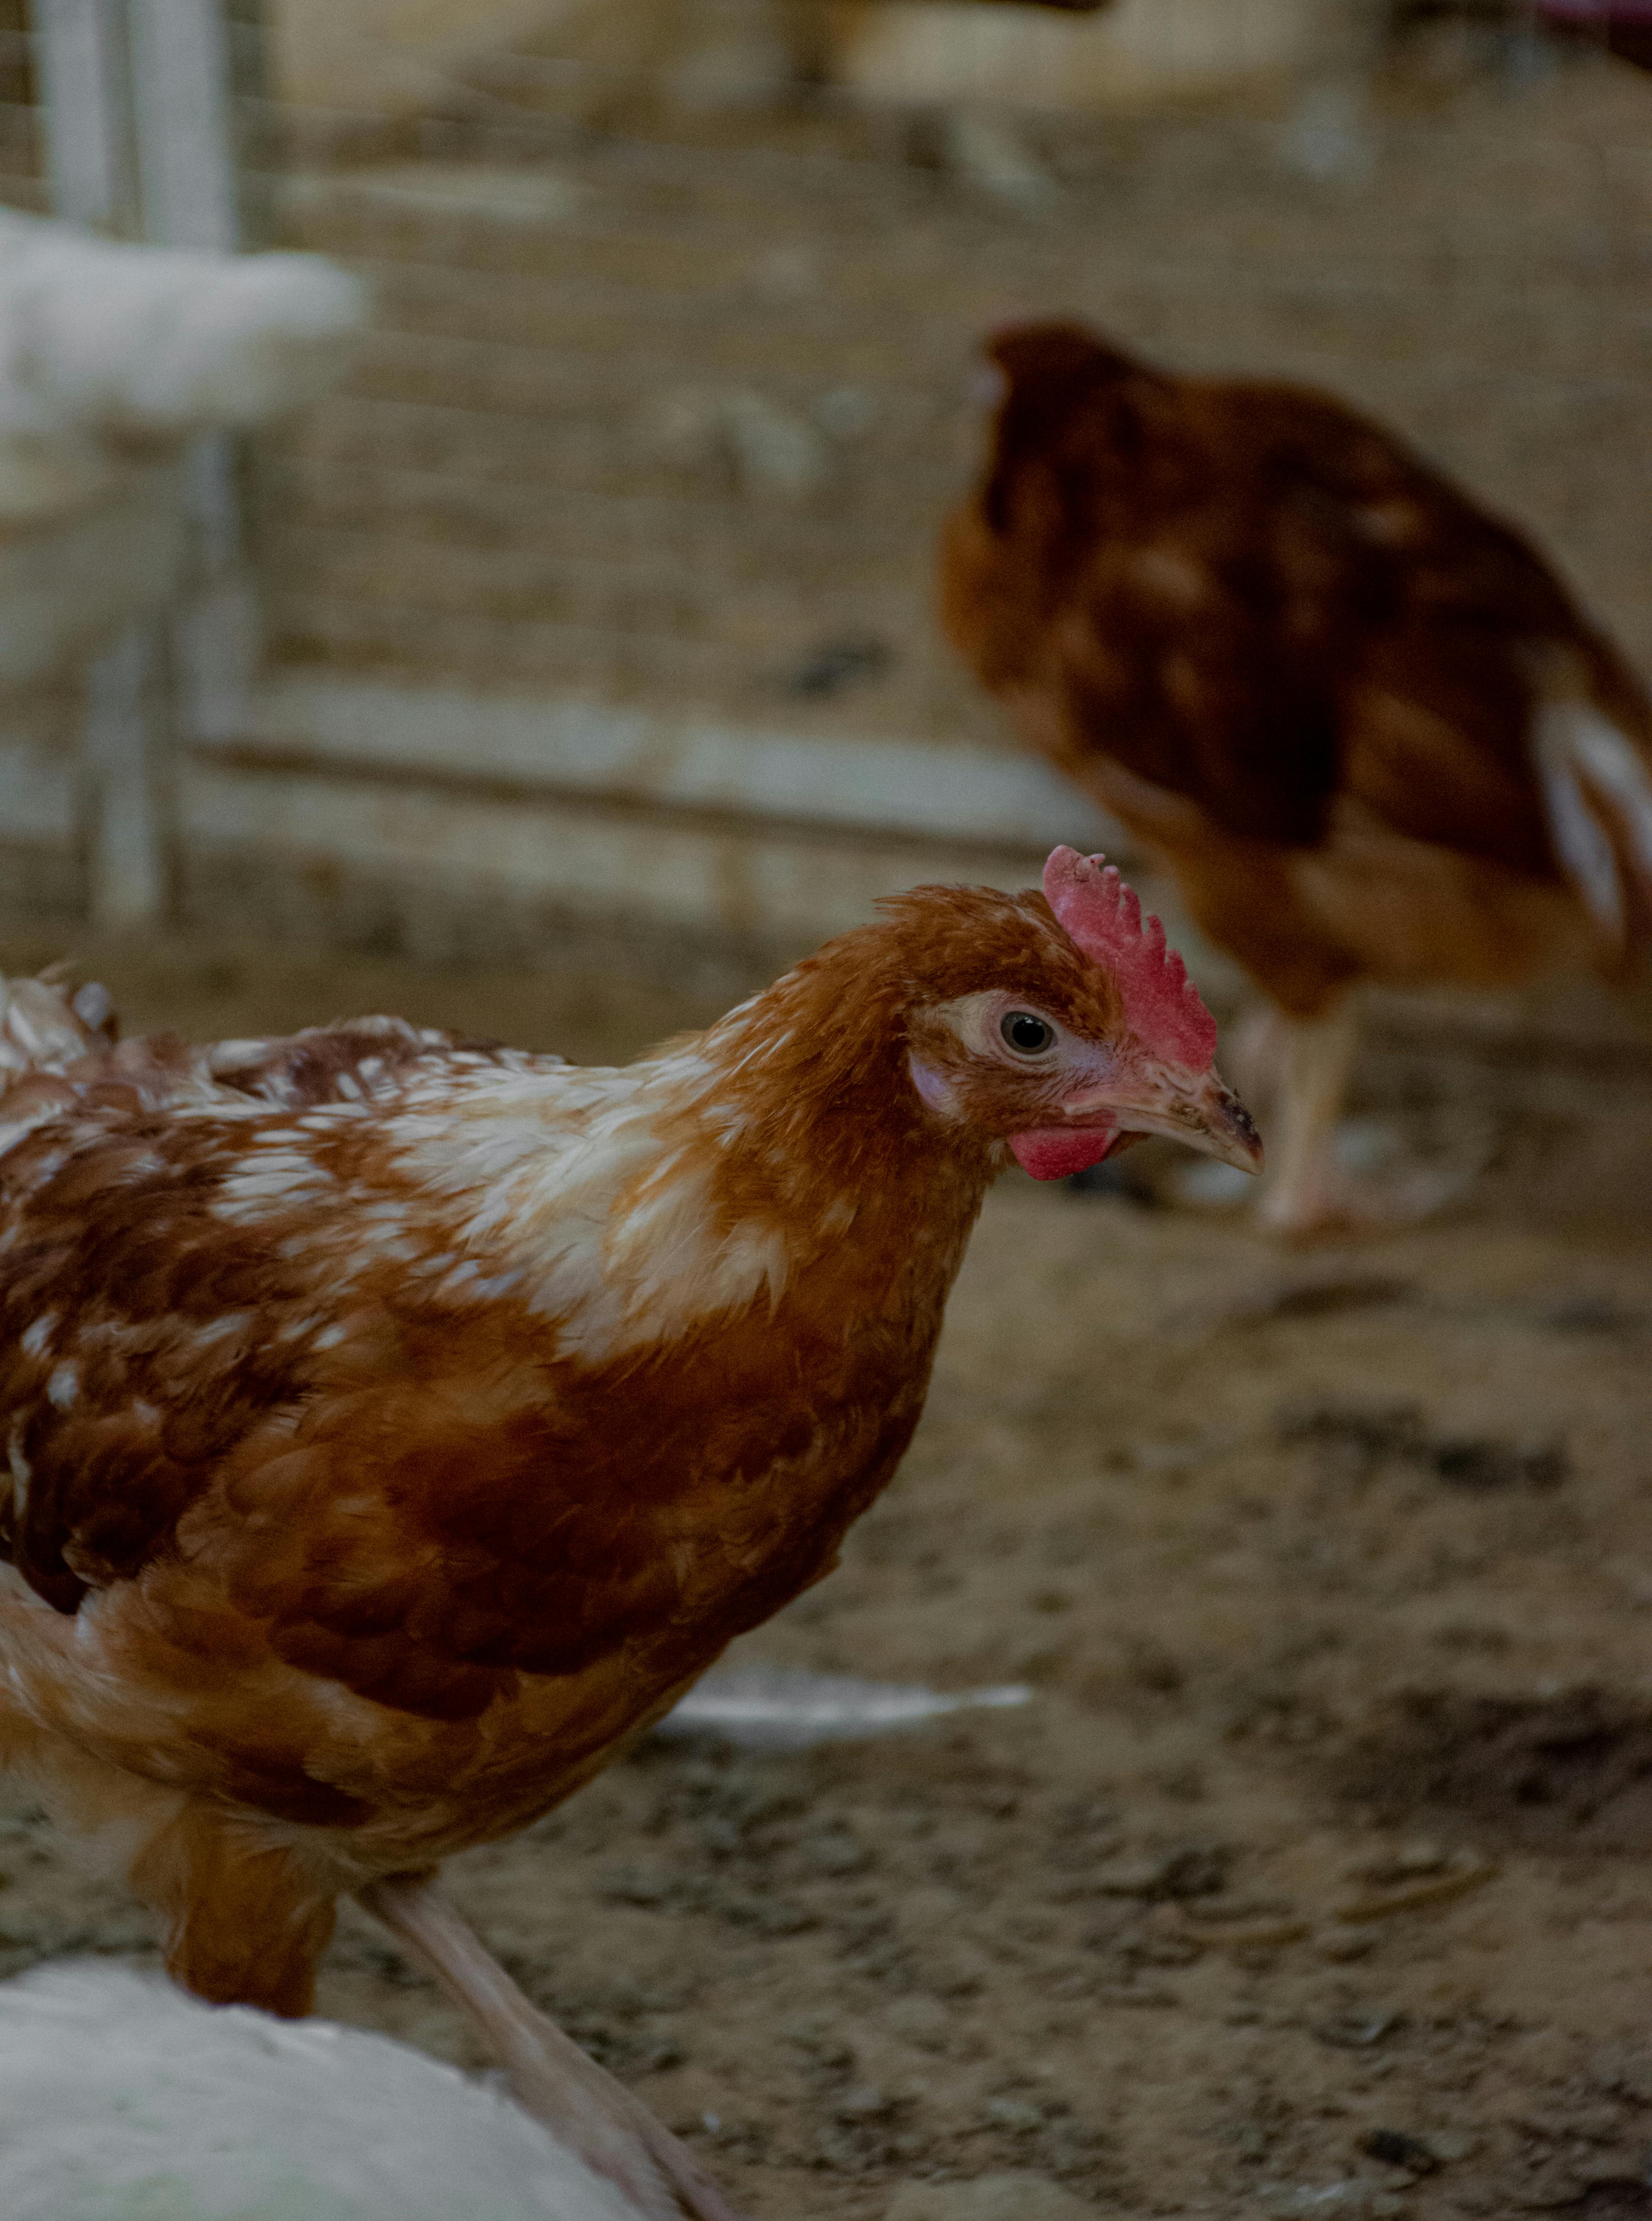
{"x": 245, "y": 1924}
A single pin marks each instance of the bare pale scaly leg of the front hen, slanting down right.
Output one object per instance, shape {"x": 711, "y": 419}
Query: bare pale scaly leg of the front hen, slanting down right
{"x": 554, "y": 2080}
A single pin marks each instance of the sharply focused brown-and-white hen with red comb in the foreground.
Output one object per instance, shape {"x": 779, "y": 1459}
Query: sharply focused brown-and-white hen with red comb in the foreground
{"x": 399, "y": 1425}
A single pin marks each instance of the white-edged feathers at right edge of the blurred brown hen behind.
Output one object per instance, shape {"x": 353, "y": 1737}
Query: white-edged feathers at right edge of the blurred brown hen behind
{"x": 1598, "y": 790}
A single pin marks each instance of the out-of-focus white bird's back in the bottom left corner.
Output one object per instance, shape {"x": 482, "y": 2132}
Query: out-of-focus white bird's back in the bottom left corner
{"x": 123, "y": 2100}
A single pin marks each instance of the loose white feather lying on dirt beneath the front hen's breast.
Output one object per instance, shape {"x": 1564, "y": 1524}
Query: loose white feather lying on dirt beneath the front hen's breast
{"x": 785, "y": 1709}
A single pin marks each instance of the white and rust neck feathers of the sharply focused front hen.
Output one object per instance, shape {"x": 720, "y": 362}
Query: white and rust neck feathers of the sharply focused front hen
{"x": 780, "y": 1147}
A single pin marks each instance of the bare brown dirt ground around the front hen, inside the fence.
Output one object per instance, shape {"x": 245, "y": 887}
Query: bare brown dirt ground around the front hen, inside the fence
{"x": 1313, "y": 1878}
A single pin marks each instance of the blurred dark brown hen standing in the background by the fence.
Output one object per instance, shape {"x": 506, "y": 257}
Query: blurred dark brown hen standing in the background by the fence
{"x": 1360, "y": 718}
